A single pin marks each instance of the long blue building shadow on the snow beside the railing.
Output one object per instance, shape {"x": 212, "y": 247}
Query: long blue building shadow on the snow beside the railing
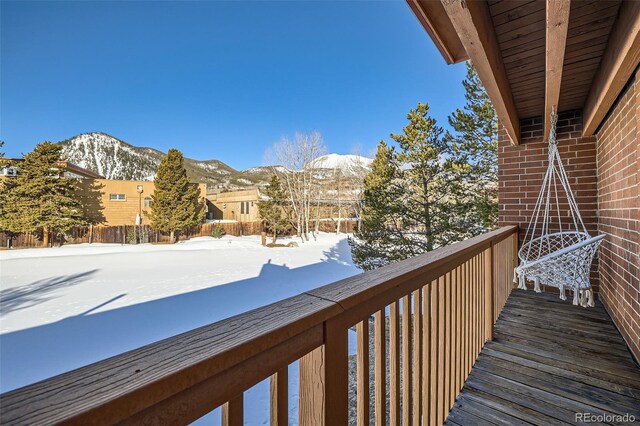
{"x": 37, "y": 353}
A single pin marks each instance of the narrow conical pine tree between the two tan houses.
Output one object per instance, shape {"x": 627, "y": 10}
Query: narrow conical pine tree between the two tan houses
{"x": 175, "y": 205}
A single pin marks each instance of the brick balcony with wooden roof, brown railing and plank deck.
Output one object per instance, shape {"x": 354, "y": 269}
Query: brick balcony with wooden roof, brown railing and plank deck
{"x": 474, "y": 350}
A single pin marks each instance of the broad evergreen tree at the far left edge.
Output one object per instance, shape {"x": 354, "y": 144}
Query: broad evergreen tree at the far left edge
{"x": 39, "y": 199}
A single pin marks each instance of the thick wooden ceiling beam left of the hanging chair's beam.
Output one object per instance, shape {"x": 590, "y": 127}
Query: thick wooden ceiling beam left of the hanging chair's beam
{"x": 474, "y": 26}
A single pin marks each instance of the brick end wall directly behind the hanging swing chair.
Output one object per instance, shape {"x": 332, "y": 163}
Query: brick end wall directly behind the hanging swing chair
{"x": 521, "y": 170}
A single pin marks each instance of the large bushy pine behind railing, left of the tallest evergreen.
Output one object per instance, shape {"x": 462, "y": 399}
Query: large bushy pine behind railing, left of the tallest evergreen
{"x": 411, "y": 197}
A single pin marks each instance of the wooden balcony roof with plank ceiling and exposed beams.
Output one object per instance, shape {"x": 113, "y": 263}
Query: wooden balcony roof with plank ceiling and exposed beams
{"x": 537, "y": 55}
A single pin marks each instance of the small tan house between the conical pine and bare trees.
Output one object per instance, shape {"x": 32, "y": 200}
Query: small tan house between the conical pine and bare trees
{"x": 237, "y": 205}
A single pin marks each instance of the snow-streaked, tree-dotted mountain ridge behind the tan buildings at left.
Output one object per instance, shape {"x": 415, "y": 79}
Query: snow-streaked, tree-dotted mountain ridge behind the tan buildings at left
{"x": 116, "y": 159}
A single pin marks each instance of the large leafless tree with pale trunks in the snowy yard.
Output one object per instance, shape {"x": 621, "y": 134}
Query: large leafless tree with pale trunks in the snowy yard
{"x": 299, "y": 176}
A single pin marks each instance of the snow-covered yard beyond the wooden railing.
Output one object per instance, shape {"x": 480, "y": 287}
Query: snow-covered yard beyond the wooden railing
{"x": 62, "y": 308}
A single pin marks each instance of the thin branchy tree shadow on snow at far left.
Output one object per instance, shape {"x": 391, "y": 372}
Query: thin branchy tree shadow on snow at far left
{"x": 15, "y": 299}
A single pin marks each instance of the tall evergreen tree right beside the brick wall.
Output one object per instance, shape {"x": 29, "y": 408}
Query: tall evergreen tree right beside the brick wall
{"x": 476, "y": 140}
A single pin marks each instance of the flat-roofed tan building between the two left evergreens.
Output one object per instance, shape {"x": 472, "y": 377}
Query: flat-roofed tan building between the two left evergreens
{"x": 124, "y": 200}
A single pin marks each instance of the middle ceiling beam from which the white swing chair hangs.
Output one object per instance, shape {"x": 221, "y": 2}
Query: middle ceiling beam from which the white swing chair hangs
{"x": 556, "y": 41}
